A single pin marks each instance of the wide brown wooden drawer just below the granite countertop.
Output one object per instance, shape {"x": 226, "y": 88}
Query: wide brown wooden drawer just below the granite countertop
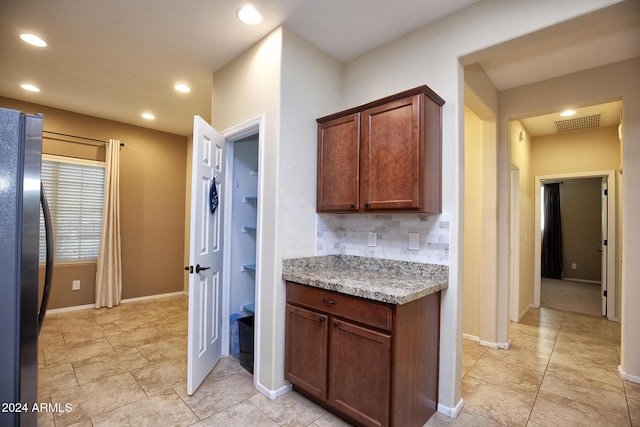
{"x": 372, "y": 313}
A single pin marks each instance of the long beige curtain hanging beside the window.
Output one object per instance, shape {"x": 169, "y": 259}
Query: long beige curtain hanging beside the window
{"x": 109, "y": 272}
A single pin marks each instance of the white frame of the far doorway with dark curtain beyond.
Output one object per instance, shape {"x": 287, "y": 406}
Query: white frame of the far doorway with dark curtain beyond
{"x": 610, "y": 176}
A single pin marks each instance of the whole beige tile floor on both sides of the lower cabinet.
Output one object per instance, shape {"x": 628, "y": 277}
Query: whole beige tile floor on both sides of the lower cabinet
{"x": 126, "y": 366}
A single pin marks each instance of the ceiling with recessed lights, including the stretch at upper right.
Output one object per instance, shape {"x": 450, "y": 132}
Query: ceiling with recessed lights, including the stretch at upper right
{"x": 118, "y": 58}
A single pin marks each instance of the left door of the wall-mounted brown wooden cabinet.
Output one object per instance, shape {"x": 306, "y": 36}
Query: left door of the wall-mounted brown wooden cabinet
{"x": 338, "y": 165}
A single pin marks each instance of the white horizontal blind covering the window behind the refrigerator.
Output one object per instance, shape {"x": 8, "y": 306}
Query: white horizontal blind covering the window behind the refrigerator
{"x": 75, "y": 190}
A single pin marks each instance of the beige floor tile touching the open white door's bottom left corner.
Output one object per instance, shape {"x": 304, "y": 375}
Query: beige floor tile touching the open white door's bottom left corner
{"x": 164, "y": 375}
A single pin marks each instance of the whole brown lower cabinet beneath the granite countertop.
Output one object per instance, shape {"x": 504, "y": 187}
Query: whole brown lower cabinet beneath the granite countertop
{"x": 372, "y": 363}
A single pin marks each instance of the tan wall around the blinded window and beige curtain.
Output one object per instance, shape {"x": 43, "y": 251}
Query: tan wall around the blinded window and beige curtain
{"x": 152, "y": 184}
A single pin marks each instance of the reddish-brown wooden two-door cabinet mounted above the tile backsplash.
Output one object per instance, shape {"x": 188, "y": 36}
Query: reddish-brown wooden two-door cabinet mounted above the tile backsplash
{"x": 382, "y": 156}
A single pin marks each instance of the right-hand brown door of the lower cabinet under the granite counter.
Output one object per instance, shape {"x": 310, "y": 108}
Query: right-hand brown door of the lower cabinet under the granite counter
{"x": 360, "y": 373}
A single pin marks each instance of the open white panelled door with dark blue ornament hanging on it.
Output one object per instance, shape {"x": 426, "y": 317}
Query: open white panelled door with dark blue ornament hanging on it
{"x": 206, "y": 254}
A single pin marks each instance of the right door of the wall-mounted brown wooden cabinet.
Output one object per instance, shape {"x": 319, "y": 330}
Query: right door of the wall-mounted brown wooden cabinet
{"x": 392, "y": 155}
